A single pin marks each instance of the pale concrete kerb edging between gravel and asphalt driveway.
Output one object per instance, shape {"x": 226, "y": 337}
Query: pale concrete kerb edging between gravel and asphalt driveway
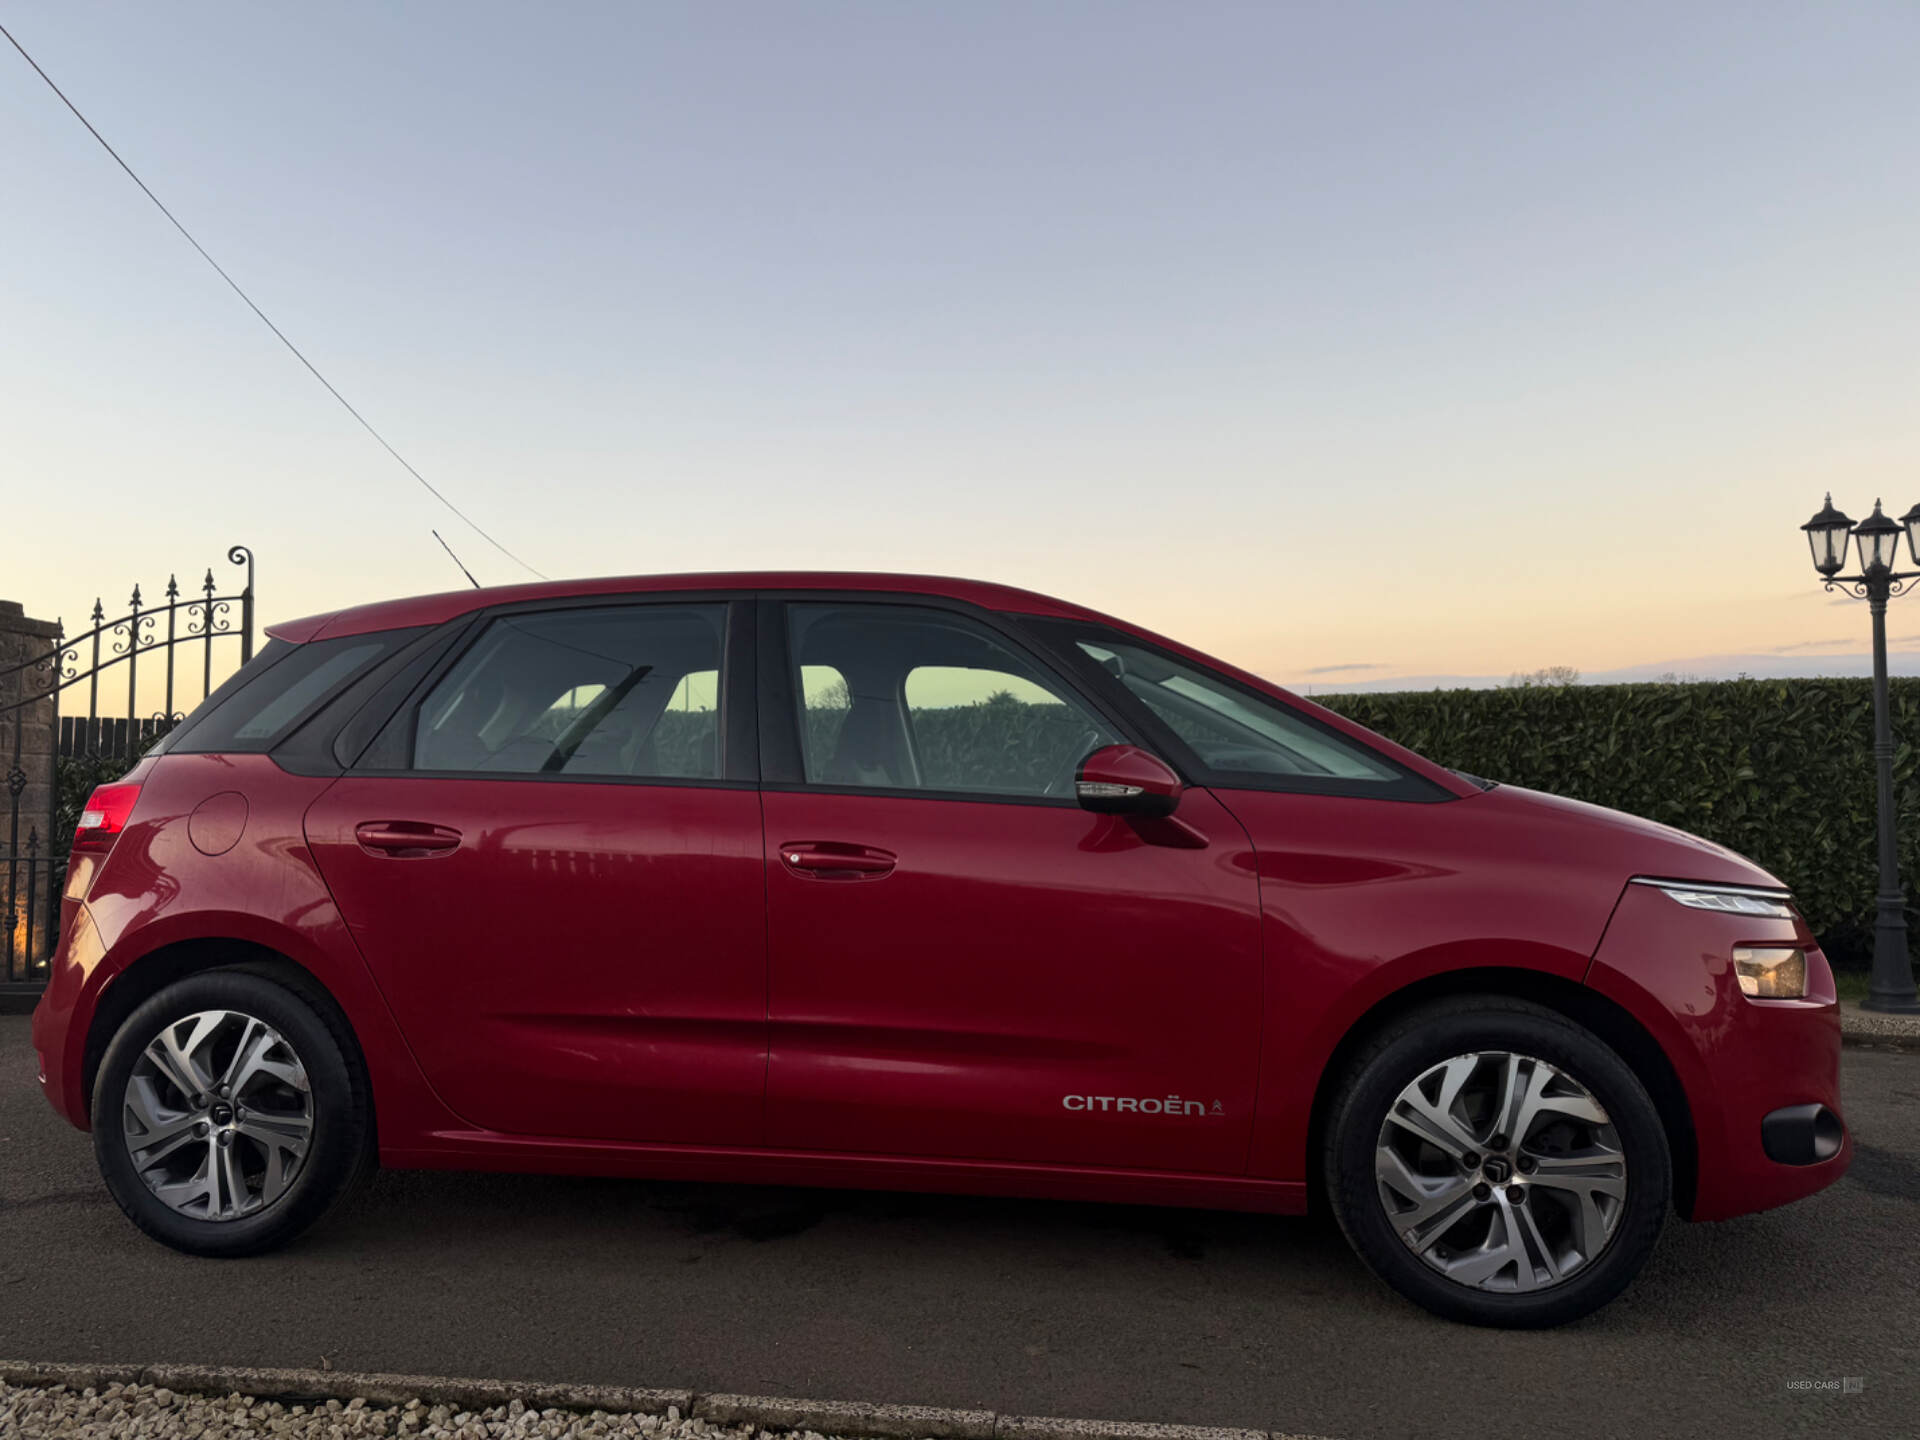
{"x": 838, "y": 1418}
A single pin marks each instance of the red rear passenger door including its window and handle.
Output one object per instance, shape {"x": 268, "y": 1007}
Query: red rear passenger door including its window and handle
{"x": 554, "y": 865}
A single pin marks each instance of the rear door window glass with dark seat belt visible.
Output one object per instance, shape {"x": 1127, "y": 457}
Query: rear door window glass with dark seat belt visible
{"x": 619, "y": 692}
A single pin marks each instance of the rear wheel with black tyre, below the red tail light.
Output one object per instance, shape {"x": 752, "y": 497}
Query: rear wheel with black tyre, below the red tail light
{"x": 231, "y": 1174}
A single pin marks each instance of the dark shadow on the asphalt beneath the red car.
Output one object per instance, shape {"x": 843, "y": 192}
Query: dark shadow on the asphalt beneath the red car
{"x": 1698, "y": 1274}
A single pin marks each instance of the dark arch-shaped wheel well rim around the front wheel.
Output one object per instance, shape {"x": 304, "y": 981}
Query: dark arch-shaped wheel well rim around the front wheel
{"x": 1608, "y": 1020}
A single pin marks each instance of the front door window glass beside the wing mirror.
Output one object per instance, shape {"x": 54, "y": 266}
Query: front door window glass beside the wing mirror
{"x": 907, "y": 698}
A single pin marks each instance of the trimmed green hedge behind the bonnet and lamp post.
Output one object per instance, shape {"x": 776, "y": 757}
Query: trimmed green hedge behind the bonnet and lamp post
{"x": 1781, "y": 771}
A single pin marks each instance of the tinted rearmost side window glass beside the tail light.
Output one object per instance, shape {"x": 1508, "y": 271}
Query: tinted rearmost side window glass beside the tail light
{"x": 277, "y": 690}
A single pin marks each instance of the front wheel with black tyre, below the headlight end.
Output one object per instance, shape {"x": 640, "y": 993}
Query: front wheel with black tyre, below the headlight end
{"x": 1577, "y": 1201}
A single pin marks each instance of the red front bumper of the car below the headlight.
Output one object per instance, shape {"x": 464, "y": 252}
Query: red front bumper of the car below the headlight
{"x": 1760, "y": 1078}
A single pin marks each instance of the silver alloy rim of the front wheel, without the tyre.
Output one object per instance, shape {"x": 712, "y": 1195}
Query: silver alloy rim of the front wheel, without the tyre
{"x": 1500, "y": 1172}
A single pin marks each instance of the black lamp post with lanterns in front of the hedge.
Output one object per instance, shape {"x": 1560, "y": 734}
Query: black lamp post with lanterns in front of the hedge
{"x": 1877, "y": 539}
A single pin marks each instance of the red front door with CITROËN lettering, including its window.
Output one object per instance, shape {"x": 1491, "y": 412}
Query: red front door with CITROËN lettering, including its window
{"x": 965, "y": 963}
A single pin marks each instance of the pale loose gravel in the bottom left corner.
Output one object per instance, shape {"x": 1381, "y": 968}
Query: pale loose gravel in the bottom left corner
{"x": 151, "y": 1412}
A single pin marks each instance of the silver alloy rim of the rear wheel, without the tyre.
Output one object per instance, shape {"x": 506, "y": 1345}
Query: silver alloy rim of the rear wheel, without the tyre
{"x": 218, "y": 1115}
